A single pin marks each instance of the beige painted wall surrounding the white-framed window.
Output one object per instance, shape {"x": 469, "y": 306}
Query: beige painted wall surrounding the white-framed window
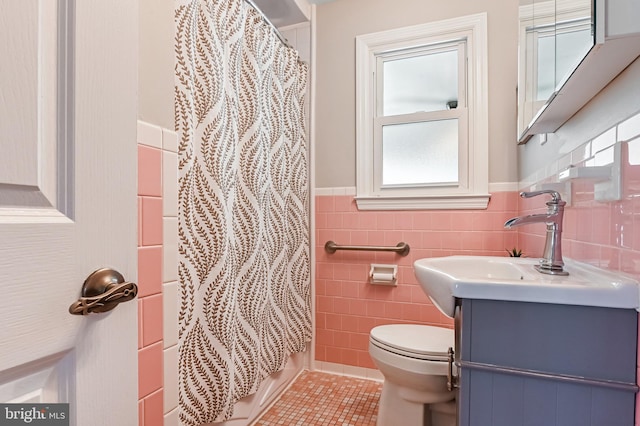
{"x": 339, "y": 22}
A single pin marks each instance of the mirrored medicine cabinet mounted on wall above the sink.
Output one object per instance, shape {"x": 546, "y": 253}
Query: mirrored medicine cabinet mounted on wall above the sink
{"x": 568, "y": 50}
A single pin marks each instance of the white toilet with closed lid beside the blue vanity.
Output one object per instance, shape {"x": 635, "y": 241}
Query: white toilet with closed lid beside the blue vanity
{"x": 413, "y": 360}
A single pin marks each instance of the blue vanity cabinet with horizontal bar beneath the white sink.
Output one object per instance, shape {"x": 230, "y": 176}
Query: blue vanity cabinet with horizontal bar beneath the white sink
{"x": 545, "y": 365}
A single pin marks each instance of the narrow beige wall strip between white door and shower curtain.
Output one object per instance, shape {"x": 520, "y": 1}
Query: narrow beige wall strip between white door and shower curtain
{"x": 155, "y": 78}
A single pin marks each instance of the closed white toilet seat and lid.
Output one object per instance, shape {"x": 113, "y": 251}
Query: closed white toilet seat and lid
{"x": 416, "y": 341}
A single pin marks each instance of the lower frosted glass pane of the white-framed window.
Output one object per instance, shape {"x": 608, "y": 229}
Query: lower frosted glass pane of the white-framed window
{"x": 420, "y": 153}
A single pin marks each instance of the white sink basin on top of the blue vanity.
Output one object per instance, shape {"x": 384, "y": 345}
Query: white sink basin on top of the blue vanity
{"x": 514, "y": 278}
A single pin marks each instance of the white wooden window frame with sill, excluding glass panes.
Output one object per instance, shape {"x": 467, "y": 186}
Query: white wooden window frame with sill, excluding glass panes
{"x": 471, "y": 192}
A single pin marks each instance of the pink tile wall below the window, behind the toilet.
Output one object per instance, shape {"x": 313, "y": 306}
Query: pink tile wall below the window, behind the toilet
{"x": 348, "y": 307}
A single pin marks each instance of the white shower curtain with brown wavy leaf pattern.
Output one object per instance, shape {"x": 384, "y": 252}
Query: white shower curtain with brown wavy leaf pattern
{"x": 243, "y": 226}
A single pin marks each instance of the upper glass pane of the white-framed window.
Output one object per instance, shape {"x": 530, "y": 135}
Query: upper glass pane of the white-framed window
{"x": 426, "y": 82}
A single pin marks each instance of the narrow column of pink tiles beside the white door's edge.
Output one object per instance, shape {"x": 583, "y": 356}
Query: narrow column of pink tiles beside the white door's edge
{"x": 150, "y": 345}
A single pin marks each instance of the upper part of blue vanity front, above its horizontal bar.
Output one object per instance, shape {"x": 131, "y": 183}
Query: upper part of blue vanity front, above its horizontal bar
{"x": 574, "y": 340}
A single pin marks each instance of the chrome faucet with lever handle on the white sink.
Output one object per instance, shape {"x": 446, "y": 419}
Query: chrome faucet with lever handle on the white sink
{"x": 551, "y": 262}
